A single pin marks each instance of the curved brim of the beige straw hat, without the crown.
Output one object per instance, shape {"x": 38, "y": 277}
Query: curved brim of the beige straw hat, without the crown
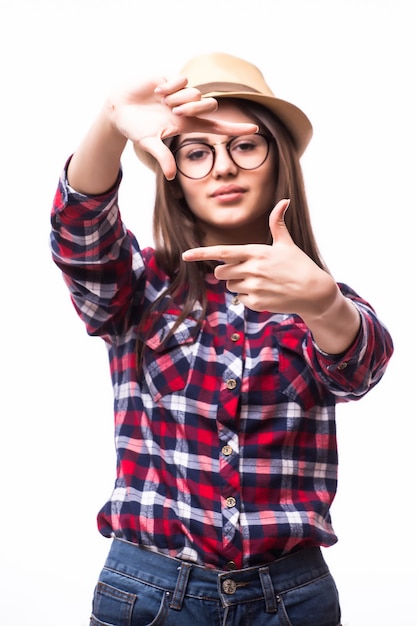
{"x": 291, "y": 116}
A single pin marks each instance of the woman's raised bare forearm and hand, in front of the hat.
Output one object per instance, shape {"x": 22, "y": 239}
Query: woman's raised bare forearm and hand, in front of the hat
{"x": 144, "y": 114}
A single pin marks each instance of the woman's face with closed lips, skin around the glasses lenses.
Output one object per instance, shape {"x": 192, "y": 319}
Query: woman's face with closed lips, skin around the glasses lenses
{"x": 231, "y": 204}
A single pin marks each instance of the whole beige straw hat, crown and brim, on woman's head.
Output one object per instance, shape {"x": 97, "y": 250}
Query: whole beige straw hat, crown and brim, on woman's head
{"x": 220, "y": 75}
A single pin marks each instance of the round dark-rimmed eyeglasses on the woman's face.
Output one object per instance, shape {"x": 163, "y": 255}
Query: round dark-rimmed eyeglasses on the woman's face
{"x": 195, "y": 159}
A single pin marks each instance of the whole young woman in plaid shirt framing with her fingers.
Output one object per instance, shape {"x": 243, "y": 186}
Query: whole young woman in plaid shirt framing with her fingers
{"x": 230, "y": 344}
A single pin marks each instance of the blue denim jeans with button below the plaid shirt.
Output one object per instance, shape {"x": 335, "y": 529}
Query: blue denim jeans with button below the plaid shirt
{"x": 141, "y": 588}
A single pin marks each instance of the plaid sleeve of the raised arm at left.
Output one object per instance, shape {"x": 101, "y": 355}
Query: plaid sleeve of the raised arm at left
{"x": 100, "y": 259}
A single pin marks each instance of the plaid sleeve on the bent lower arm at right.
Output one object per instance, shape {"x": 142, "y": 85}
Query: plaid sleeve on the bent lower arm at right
{"x": 352, "y": 374}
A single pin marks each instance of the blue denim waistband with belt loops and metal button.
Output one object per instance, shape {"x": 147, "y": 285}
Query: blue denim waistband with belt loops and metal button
{"x": 181, "y": 578}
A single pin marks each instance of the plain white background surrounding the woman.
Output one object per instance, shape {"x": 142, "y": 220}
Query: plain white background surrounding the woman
{"x": 351, "y": 66}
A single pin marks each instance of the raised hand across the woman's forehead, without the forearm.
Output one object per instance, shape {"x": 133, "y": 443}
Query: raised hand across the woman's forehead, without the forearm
{"x": 163, "y": 108}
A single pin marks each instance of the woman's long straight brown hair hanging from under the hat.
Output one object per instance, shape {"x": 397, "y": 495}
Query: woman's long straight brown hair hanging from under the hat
{"x": 175, "y": 228}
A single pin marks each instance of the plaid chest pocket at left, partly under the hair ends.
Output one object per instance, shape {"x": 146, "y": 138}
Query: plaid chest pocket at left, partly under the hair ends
{"x": 167, "y": 364}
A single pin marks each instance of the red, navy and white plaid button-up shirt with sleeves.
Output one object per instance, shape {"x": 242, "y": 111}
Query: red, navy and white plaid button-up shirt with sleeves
{"x": 226, "y": 444}
